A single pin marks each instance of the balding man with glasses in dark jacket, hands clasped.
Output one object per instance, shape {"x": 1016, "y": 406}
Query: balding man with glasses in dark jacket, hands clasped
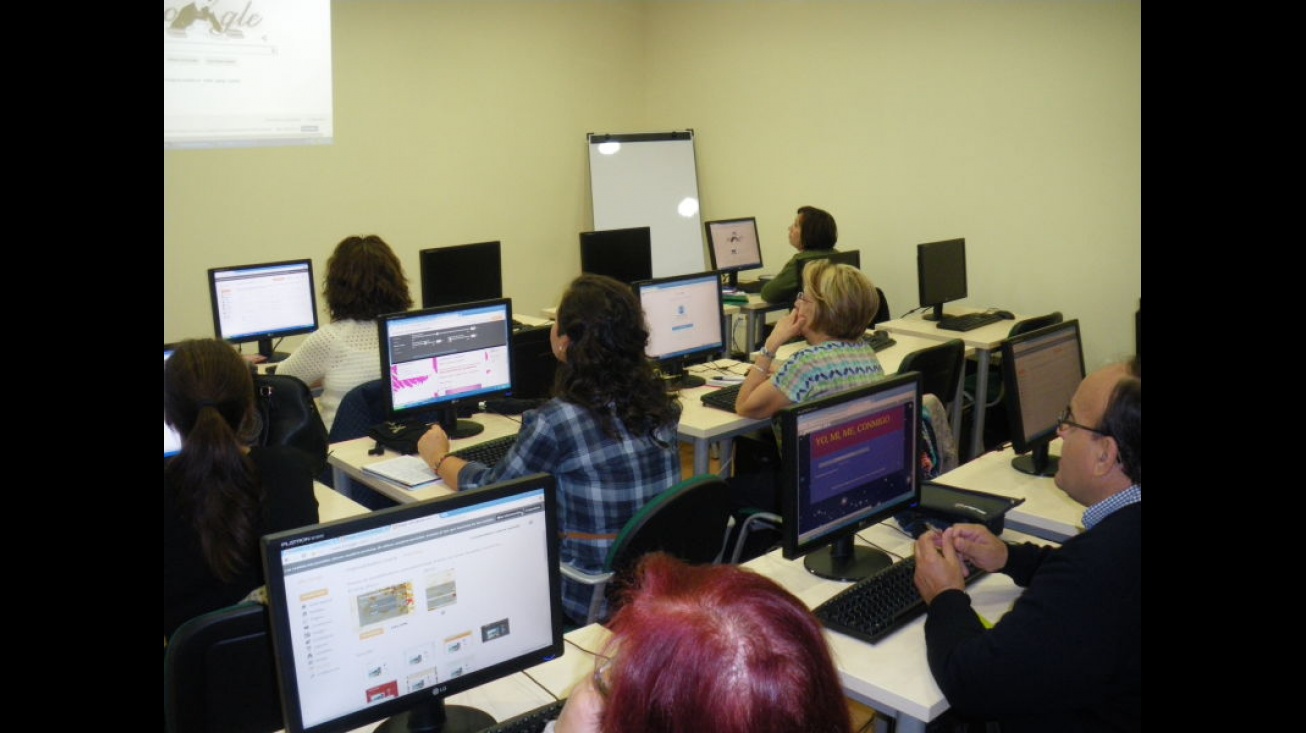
{"x": 1068, "y": 657}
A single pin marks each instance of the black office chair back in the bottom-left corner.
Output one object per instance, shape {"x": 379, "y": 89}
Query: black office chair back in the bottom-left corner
{"x": 219, "y": 675}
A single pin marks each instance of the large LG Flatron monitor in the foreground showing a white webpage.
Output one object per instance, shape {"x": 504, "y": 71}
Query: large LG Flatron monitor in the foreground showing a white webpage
{"x": 386, "y": 615}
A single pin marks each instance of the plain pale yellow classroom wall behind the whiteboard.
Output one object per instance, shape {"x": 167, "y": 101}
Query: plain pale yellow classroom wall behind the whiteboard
{"x": 1017, "y": 125}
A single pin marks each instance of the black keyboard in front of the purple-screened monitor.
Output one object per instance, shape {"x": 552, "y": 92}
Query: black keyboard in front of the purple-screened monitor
{"x": 876, "y": 607}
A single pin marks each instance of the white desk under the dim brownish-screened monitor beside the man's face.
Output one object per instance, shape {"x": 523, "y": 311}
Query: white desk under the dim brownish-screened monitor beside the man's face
{"x": 1048, "y": 512}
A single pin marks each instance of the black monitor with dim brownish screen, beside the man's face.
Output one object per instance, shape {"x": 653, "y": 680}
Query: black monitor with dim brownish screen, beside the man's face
{"x": 1040, "y": 374}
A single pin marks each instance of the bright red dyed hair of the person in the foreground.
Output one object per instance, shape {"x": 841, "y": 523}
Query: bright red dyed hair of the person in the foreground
{"x": 718, "y": 649}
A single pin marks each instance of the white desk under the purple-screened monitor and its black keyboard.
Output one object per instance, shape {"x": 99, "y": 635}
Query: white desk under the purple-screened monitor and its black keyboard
{"x": 894, "y": 676}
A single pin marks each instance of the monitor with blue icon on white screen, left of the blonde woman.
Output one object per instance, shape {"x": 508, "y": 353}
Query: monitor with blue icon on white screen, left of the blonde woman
{"x": 686, "y": 323}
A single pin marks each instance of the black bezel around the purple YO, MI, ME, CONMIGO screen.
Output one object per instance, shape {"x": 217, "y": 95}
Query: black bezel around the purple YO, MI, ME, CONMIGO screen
{"x": 792, "y": 544}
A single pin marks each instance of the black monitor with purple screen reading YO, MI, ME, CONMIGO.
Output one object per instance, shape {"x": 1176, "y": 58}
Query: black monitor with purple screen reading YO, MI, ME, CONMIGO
{"x": 848, "y": 461}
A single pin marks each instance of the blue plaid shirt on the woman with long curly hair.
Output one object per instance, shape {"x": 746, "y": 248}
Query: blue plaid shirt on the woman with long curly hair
{"x": 601, "y": 481}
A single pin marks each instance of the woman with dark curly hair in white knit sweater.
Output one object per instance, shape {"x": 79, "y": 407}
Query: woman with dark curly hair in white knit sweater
{"x": 364, "y": 280}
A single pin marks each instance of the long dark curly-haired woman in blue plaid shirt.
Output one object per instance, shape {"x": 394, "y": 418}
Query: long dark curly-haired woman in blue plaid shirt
{"x": 608, "y": 436}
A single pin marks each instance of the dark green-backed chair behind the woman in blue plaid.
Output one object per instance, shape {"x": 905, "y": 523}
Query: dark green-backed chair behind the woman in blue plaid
{"x": 689, "y": 521}
